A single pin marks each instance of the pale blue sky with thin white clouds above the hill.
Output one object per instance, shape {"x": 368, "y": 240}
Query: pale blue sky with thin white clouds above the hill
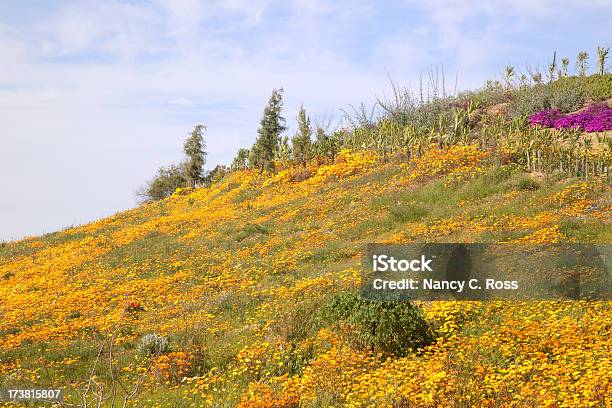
{"x": 96, "y": 95}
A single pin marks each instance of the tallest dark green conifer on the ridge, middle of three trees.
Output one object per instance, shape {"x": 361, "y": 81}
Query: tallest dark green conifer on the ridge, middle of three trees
{"x": 271, "y": 127}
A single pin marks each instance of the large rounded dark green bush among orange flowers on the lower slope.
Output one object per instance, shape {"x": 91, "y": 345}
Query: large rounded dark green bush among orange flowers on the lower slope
{"x": 387, "y": 327}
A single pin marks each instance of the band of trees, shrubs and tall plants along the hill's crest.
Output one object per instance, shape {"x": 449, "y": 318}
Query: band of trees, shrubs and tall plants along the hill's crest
{"x": 495, "y": 117}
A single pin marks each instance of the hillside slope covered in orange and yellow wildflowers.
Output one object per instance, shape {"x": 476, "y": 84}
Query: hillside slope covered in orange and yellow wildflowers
{"x": 237, "y": 278}
